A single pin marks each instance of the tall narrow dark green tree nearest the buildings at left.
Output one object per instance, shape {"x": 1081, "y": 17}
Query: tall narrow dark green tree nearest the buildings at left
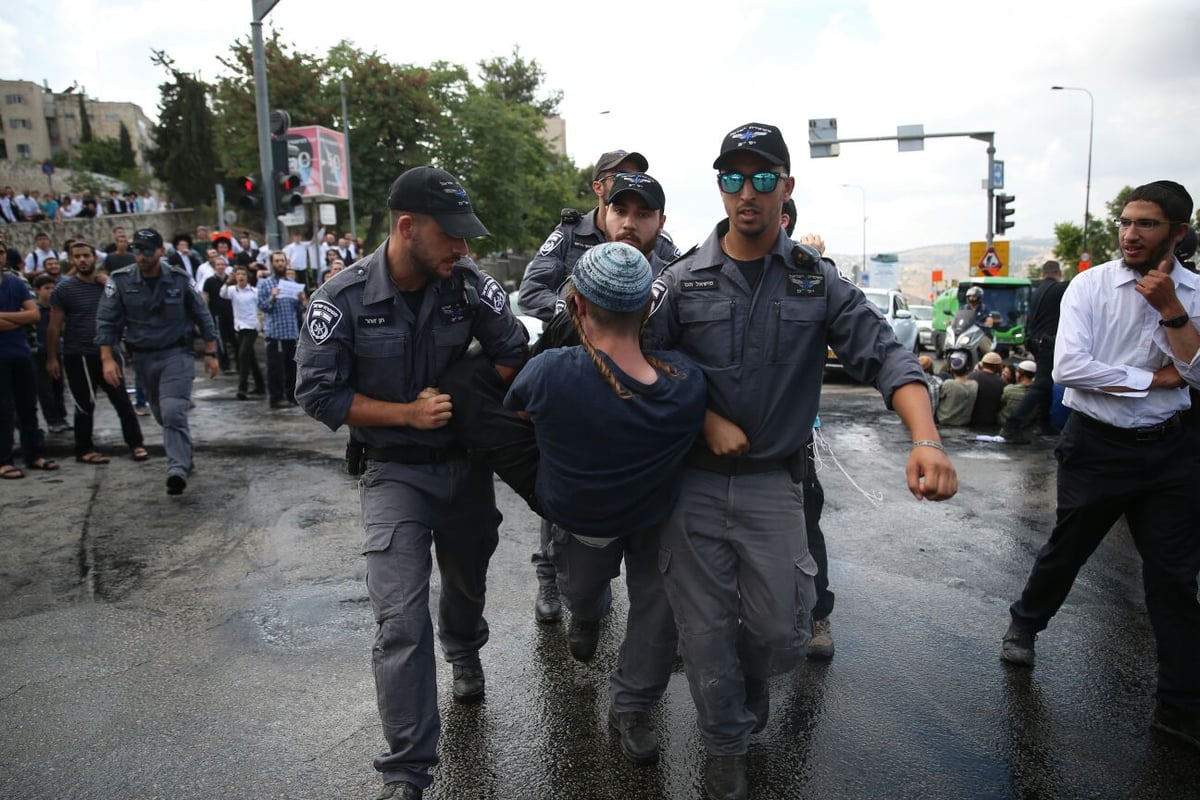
{"x": 184, "y": 158}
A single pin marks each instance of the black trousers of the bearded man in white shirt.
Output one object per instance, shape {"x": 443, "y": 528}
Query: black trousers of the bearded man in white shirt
{"x": 1103, "y": 477}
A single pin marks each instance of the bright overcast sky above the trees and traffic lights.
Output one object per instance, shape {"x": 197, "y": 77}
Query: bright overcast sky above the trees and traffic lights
{"x": 676, "y": 76}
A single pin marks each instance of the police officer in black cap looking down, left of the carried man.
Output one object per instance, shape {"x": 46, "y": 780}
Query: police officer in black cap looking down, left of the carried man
{"x": 375, "y": 342}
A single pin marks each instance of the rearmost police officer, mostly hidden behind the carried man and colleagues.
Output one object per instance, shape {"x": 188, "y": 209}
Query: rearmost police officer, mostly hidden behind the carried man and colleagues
{"x": 541, "y": 297}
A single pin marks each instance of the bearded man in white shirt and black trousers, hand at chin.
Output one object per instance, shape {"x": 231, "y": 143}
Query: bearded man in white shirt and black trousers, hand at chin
{"x": 1127, "y": 352}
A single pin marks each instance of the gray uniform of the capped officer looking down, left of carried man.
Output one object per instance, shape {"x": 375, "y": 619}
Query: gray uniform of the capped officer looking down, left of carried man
{"x": 419, "y": 488}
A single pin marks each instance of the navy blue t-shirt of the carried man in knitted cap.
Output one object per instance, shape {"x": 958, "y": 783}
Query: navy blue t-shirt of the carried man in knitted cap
{"x": 610, "y": 467}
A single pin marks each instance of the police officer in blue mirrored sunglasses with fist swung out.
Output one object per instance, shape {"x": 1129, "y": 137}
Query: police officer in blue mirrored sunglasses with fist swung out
{"x": 757, "y": 314}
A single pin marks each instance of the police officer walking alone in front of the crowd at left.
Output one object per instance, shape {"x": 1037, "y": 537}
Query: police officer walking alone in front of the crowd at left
{"x": 155, "y": 306}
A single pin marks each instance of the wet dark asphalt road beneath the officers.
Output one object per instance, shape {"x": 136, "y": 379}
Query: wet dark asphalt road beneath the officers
{"x": 218, "y": 645}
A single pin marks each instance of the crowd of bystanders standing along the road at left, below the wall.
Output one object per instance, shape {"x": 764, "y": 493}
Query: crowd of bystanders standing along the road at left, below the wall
{"x": 59, "y": 364}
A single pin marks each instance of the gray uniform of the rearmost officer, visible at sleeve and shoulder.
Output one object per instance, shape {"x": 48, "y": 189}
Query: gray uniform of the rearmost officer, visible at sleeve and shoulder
{"x": 555, "y": 262}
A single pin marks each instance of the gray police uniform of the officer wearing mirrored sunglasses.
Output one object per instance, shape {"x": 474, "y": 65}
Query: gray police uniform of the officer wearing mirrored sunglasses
{"x": 737, "y": 567}
